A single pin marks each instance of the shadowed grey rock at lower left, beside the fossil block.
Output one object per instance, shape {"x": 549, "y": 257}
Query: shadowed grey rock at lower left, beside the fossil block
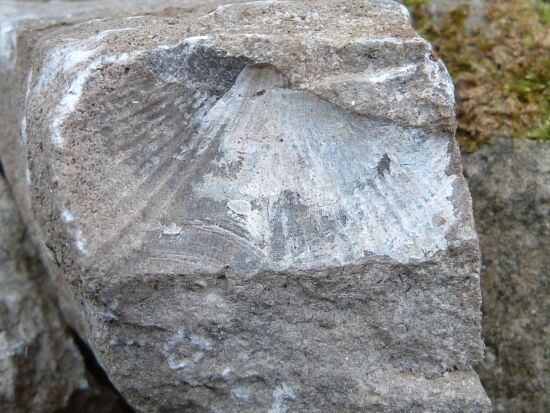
{"x": 41, "y": 368}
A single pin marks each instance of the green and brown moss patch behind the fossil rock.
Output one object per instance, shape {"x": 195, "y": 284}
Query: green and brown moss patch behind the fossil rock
{"x": 501, "y": 72}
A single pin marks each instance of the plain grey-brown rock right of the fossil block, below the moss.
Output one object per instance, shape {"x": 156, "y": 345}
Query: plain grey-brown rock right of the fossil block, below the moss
{"x": 510, "y": 184}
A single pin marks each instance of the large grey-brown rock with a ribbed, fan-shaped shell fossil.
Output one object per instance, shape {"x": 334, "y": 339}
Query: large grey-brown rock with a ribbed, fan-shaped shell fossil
{"x": 252, "y": 207}
